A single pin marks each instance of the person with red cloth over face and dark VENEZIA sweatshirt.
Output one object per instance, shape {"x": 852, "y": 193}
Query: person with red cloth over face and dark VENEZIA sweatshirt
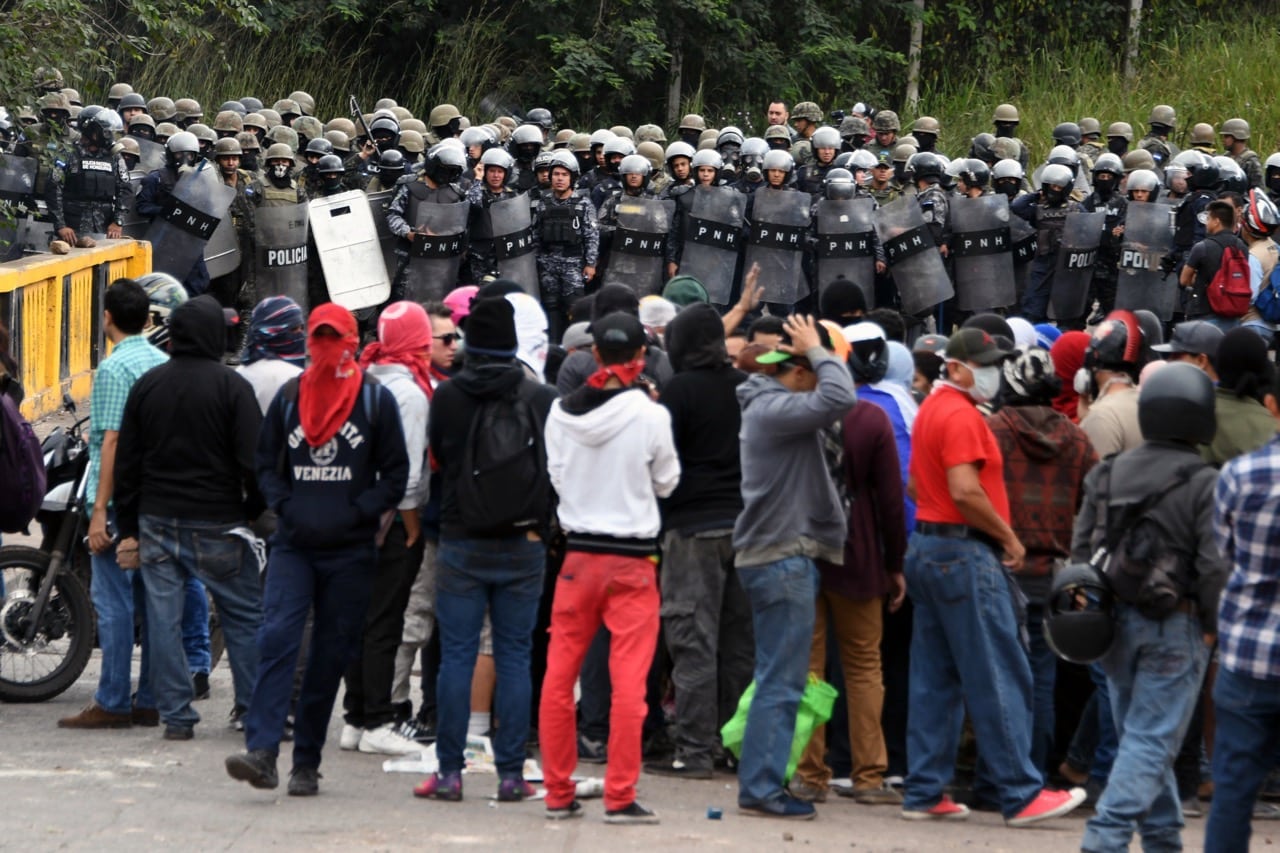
{"x": 331, "y": 462}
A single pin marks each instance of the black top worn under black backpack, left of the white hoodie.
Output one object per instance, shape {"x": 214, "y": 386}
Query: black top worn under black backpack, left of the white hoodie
{"x": 454, "y": 408}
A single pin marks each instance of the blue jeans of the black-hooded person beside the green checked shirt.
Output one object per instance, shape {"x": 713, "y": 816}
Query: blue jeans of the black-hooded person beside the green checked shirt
{"x": 172, "y": 551}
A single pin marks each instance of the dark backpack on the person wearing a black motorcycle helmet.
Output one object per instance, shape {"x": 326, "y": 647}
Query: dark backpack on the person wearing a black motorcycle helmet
{"x": 1135, "y": 559}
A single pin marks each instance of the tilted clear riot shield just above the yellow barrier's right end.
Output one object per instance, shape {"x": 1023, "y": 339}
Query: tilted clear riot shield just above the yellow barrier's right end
{"x": 180, "y": 234}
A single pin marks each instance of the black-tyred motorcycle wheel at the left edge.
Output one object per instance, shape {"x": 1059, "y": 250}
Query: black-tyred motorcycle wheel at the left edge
{"x": 52, "y": 663}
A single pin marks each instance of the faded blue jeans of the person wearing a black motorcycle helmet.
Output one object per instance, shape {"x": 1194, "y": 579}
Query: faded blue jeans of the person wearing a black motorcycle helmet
{"x": 1154, "y": 673}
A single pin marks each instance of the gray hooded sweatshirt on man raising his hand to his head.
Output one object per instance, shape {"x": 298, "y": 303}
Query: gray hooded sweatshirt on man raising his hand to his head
{"x": 790, "y": 504}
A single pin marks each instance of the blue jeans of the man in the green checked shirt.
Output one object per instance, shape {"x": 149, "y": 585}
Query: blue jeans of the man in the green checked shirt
{"x": 117, "y": 596}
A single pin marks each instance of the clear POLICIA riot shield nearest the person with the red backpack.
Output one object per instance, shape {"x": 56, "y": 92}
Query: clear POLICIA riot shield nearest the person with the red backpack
{"x": 1148, "y": 239}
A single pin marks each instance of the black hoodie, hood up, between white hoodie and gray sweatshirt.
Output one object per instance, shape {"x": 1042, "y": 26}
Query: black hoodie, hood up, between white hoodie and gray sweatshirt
{"x": 706, "y": 419}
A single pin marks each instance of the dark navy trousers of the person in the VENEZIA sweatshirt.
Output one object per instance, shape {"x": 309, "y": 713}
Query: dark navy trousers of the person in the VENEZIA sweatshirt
{"x": 337, "y": 586}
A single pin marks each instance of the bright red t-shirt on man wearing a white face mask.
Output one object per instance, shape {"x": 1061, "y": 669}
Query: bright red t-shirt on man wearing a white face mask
{"x": 949, "y": 431}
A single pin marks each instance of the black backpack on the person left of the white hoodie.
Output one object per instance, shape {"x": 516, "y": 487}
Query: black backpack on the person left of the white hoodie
{"x": 504, "y": 485}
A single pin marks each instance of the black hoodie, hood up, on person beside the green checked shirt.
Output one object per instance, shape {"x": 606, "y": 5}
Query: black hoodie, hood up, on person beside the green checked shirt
{"x": 190, "y": 428}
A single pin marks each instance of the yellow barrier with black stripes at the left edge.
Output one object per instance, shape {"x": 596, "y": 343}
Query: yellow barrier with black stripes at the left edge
{"x": 53, "y": 305}
